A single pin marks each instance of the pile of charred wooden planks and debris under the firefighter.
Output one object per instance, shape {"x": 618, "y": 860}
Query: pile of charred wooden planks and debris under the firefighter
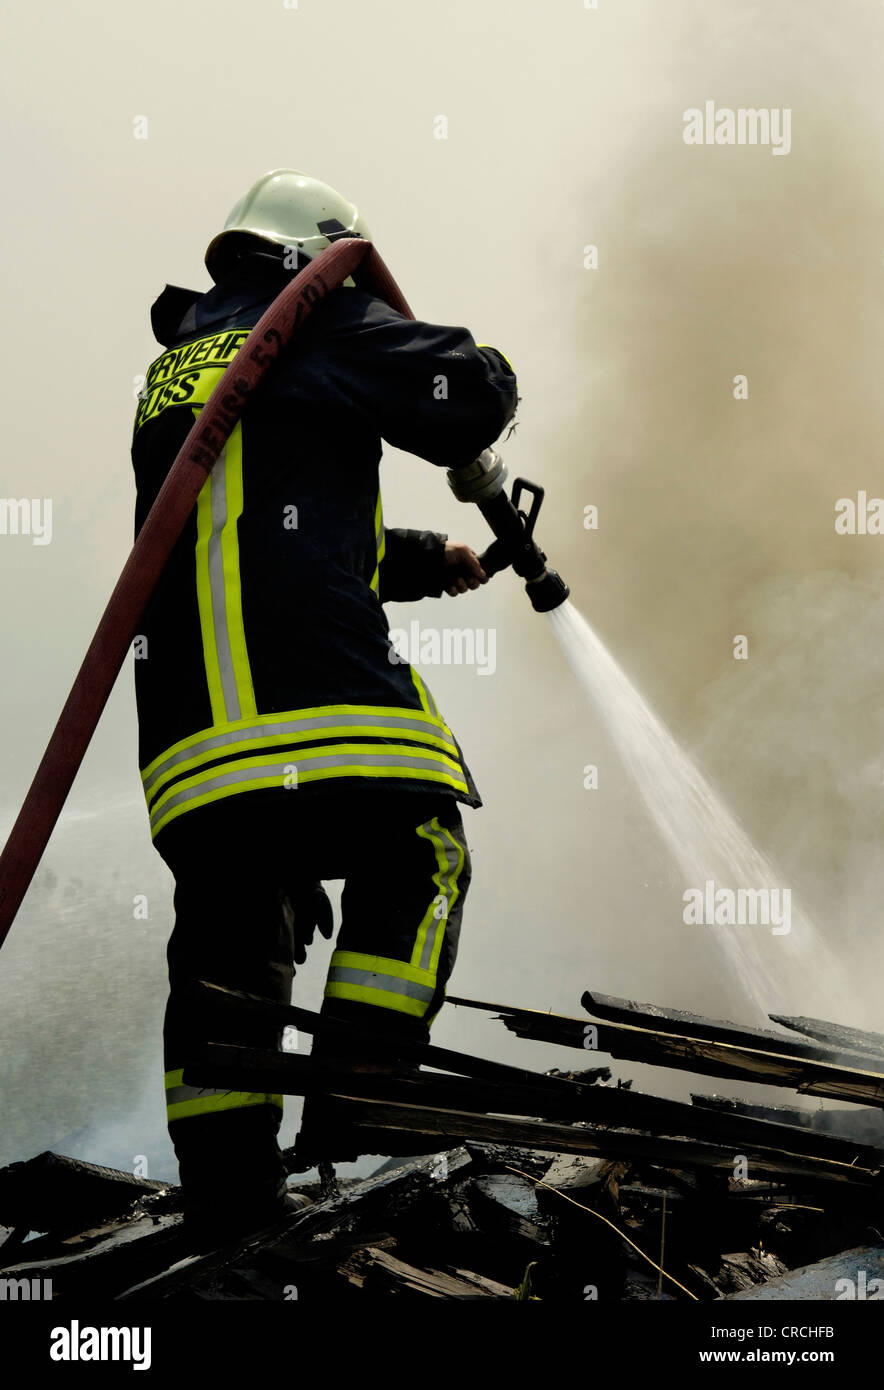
{"x": 561, "y": 1186}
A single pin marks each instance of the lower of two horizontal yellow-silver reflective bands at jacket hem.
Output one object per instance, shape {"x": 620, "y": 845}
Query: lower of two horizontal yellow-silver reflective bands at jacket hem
{"x": 305, "y": 767}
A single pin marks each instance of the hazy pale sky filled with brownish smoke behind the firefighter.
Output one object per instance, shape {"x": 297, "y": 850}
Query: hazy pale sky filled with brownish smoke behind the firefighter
{"x": 717, "y": 516}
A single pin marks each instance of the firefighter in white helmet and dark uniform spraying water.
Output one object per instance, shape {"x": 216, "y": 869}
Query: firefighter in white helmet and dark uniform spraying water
{"x": 281, "y": 740}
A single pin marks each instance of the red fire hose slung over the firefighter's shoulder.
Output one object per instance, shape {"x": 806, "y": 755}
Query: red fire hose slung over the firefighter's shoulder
{"x": 165, "y": 523}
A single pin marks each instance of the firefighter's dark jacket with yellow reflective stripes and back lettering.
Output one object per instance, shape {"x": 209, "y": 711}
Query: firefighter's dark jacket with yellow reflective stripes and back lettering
{"x": 265, "y": 655}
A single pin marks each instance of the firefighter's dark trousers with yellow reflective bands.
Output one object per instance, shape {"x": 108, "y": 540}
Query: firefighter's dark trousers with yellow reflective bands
{"x": 407, "y": 869}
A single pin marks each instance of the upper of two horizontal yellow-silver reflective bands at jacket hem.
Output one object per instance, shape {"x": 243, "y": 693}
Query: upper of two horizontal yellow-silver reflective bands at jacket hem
{"x": 297, "y": 726}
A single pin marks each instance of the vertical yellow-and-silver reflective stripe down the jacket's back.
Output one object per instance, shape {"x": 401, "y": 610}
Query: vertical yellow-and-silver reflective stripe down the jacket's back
{"x": 219, "y": 589}
